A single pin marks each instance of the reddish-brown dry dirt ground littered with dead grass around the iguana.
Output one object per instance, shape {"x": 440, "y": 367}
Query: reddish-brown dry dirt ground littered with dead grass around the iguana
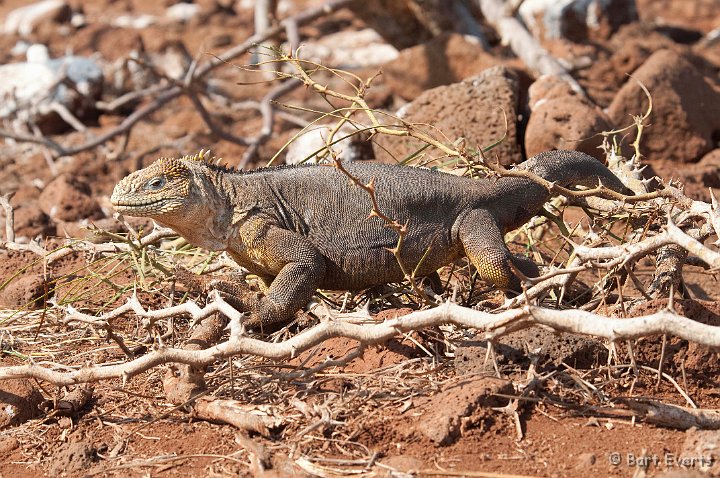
{"x": 383, "y": 413}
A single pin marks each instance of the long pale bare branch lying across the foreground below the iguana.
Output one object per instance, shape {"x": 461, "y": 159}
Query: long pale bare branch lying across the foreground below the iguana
{"x": 490, "y": 325}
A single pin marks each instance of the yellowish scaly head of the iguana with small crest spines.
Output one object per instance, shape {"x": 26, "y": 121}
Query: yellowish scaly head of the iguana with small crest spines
{"x": 159, "y": 191}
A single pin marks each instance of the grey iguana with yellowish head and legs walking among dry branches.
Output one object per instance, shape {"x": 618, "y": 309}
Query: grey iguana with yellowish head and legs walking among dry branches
{"x": 306, "y": 227}
